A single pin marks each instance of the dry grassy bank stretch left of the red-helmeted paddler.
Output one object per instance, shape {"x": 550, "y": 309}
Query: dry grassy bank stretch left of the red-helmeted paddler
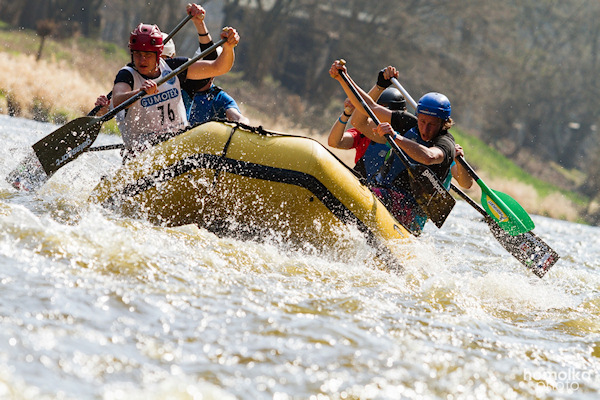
{"x": 63, "y": 84}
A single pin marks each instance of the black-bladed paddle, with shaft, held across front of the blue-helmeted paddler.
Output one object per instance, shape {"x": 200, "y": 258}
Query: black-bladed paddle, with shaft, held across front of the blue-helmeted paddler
{"x": 427, "y": 189}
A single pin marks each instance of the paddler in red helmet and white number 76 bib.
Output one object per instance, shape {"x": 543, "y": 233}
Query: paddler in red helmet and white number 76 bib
{"x": 162, "y": 110}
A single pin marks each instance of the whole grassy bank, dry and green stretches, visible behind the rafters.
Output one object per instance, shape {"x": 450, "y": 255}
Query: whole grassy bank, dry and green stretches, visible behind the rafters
{"x": 65, "y": 83}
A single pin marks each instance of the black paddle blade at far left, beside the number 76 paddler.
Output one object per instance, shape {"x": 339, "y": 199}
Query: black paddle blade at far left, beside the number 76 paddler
{"x": 66, "y": 143}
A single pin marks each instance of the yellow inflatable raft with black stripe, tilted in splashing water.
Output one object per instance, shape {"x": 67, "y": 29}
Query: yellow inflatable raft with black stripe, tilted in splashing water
{"x": 242, "y": 181}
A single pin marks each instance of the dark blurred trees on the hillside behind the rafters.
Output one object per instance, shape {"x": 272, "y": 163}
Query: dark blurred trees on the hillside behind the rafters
{"x": 522, "y": 75}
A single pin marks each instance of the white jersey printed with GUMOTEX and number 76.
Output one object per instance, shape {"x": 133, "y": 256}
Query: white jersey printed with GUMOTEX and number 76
{"x": 154, "y": 114}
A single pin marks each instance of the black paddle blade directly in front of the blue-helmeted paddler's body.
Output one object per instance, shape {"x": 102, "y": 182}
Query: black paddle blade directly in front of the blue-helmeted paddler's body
{"x": 430, "y": 194}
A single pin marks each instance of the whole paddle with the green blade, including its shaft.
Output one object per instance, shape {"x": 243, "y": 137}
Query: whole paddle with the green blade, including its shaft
{"x": 503, "y": 208}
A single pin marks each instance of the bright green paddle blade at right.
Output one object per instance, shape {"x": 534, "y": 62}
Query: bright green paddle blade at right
{"x": 510, "y": 215}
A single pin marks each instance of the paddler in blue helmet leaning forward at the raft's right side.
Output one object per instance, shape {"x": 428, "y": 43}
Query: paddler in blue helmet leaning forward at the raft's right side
{"x": 425, "y": 139}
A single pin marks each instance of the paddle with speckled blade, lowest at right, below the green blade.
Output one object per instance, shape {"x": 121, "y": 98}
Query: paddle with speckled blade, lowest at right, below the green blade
{"x": 530, "y": 250}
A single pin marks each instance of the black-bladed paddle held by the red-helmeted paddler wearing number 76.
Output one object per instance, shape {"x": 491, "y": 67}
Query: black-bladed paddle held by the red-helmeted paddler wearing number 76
{"x": 68, "y": 142}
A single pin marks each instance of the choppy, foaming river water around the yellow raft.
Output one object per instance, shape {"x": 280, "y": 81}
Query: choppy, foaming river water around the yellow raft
{"x": 98, "y": 306}
